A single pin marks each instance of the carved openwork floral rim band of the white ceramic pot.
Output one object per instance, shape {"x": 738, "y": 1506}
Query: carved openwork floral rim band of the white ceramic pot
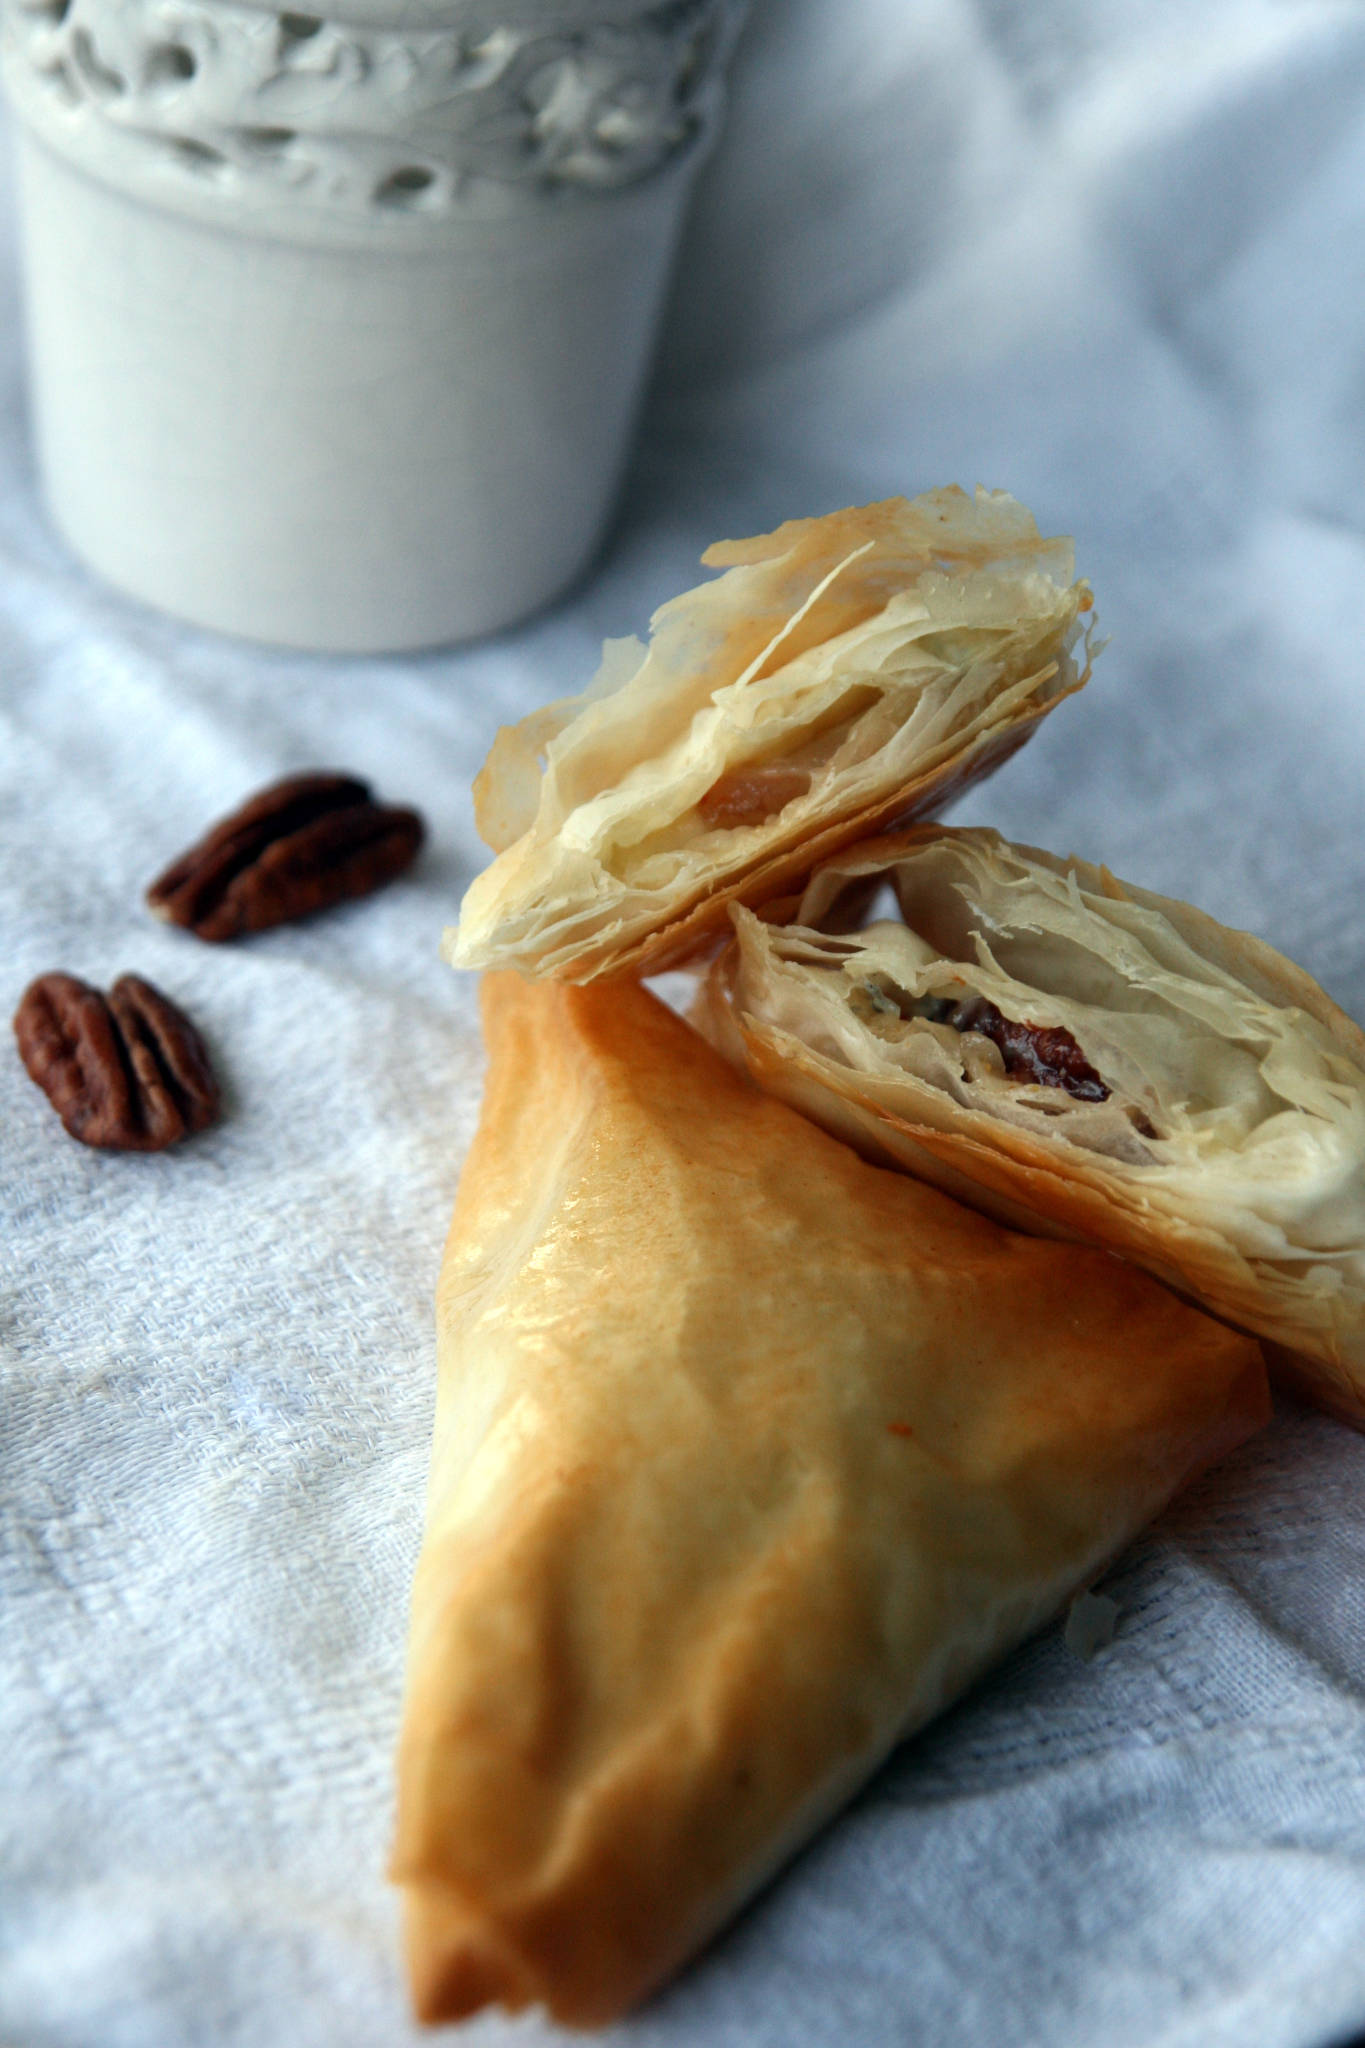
{"x": 369, "y": 116}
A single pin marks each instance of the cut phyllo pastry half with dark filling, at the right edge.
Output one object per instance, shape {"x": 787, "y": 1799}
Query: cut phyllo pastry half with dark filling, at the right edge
{"x": 1077, "y": 1056}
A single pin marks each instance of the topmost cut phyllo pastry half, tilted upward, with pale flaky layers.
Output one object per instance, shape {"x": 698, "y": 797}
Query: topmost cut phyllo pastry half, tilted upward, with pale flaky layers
{"x": 844, "y": 675}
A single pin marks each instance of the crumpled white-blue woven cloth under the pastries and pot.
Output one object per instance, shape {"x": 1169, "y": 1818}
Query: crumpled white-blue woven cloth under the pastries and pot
{"x": 1110, "y": 257}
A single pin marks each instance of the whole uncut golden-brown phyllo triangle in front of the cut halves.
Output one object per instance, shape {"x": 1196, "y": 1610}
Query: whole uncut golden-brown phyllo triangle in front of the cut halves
{"x": 748, "y": 1459}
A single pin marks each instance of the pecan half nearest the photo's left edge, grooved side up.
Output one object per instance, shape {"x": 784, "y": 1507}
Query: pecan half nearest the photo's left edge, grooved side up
{"x": 126, "y": 1072}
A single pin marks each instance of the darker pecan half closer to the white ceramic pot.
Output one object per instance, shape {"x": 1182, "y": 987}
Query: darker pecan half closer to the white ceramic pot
{"x": 300, "y": 847}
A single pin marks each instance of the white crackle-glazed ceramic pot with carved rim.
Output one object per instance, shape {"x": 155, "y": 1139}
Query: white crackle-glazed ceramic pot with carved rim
{"x": 339, "y": 325}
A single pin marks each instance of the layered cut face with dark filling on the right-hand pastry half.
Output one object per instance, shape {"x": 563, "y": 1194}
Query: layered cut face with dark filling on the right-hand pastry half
{"x": 1053, "y": 1000}
